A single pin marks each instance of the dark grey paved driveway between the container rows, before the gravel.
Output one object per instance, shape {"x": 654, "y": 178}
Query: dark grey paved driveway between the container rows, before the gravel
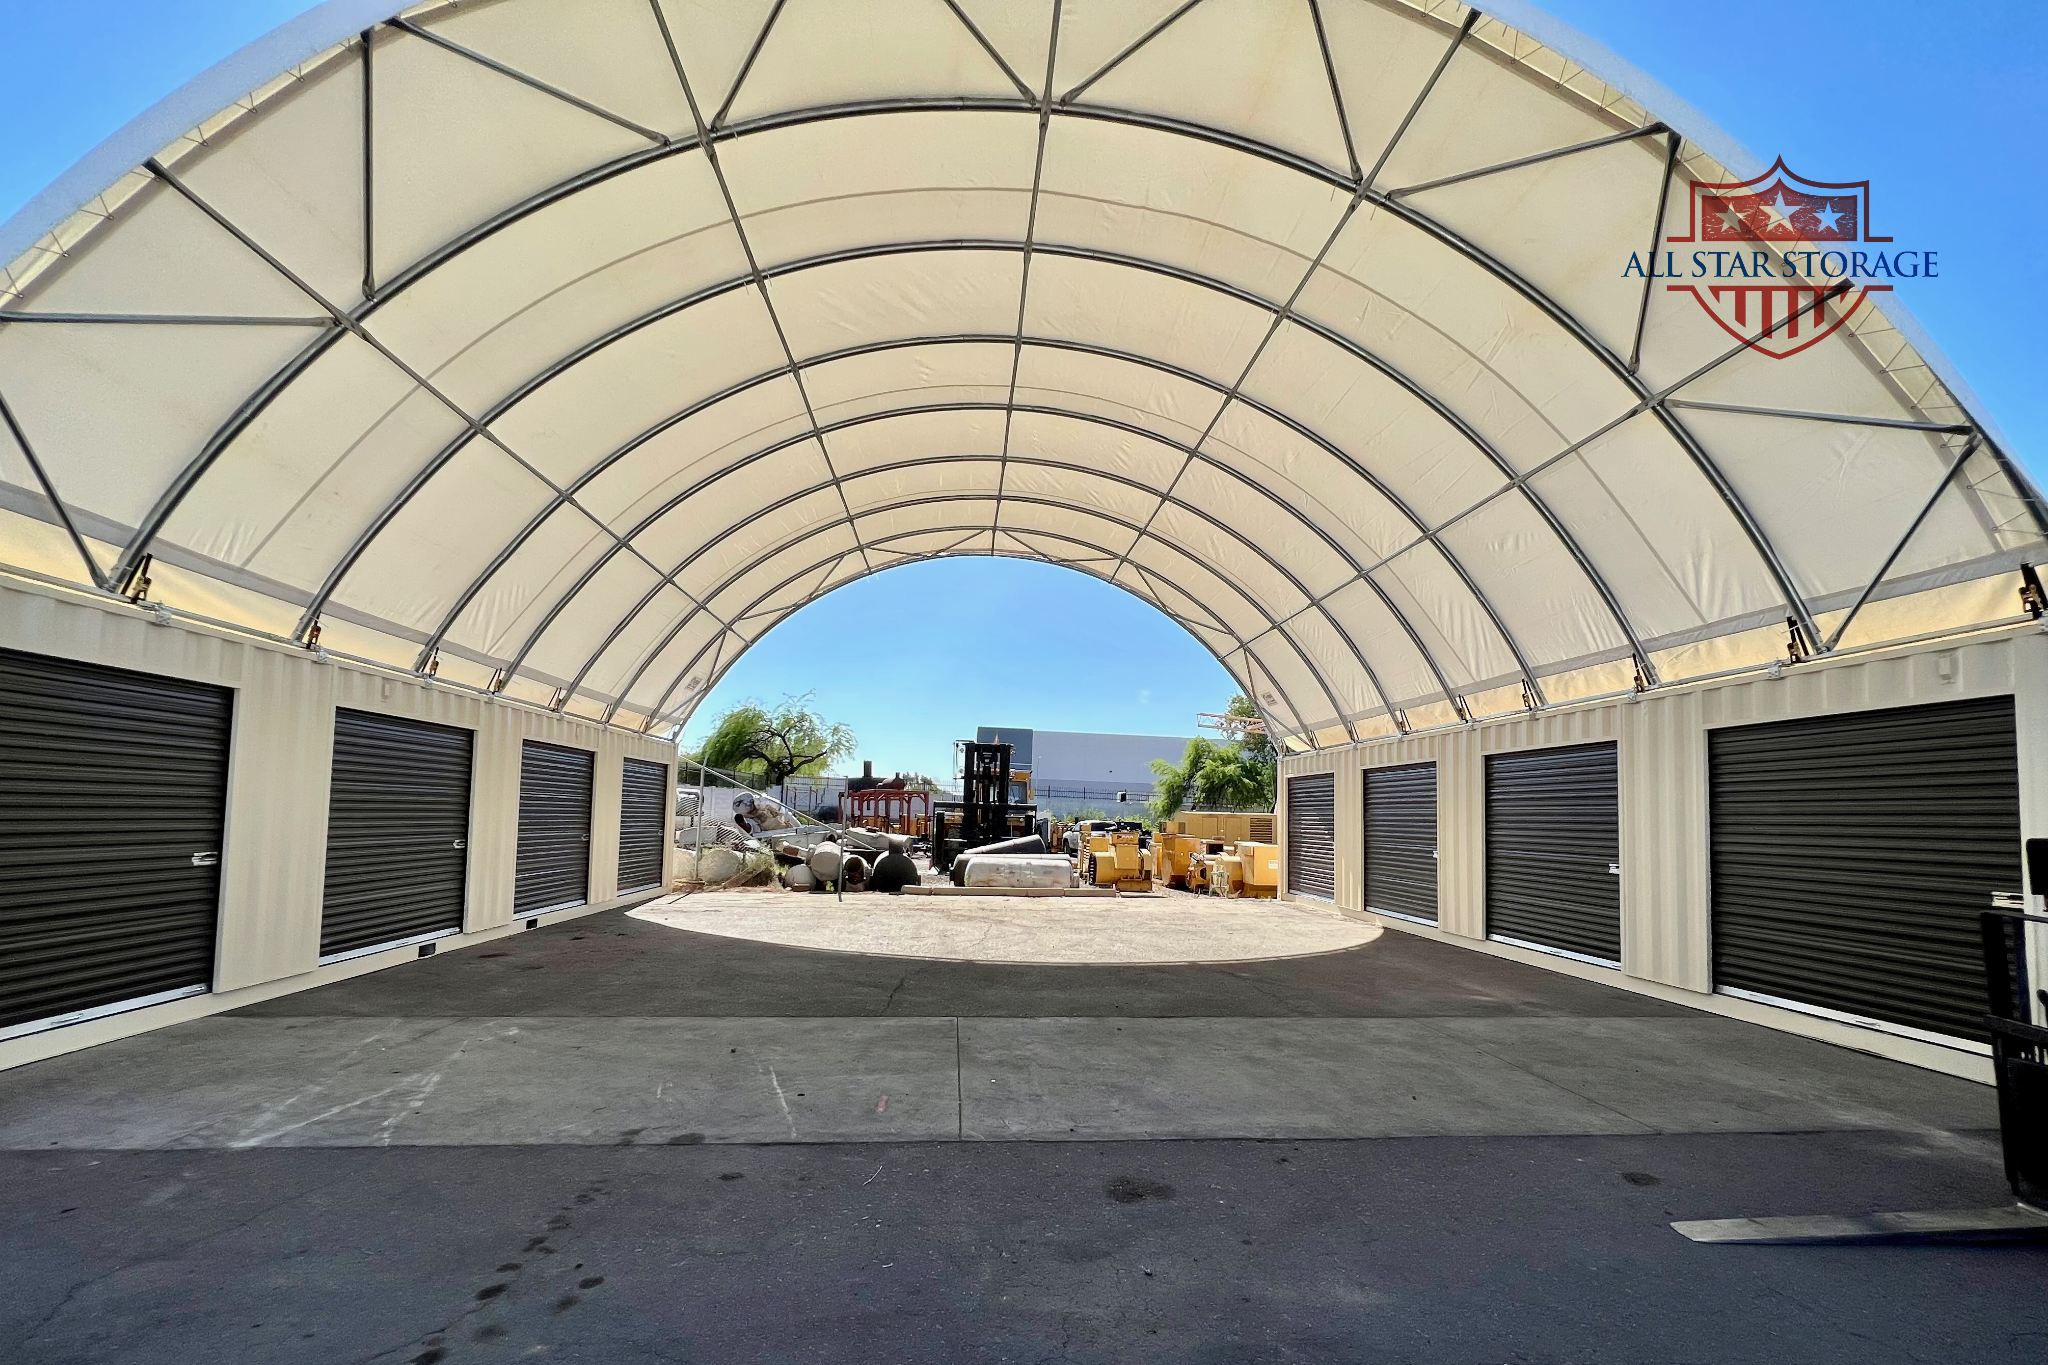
{"x": 626, "y": 1141}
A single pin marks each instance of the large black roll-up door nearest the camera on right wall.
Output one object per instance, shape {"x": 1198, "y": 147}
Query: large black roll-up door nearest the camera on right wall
{"x": 1852, "y": 856}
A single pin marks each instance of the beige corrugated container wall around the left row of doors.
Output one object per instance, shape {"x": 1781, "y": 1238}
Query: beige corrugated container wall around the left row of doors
{"x": 278, "y": 793}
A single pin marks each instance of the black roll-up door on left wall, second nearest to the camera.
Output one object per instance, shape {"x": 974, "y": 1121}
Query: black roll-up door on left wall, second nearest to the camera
{"x": 398, "y": 832}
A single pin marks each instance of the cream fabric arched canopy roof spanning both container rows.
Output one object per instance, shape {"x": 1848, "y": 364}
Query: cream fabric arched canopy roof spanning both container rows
{"x": 566, "y": 347}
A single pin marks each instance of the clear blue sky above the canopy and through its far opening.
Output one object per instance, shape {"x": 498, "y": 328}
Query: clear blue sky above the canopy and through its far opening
{"x": 1940, "y": 105}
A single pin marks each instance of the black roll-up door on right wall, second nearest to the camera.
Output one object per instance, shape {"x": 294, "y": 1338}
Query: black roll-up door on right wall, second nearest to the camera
{"x": 1553, "y": 850}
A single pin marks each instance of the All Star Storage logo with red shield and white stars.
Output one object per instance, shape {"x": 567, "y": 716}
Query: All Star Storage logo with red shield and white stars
{"x": 1766, "y": 265}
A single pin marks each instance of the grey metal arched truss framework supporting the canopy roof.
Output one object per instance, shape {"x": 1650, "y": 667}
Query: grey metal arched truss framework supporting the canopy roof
{"x": 1357, "y": 181}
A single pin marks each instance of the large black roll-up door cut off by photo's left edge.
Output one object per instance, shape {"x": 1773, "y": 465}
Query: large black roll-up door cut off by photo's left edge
{"x": 114, "y": 797}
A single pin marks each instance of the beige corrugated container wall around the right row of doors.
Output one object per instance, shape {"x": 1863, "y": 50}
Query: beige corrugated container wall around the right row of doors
{"x": 1664, "y": 809}
